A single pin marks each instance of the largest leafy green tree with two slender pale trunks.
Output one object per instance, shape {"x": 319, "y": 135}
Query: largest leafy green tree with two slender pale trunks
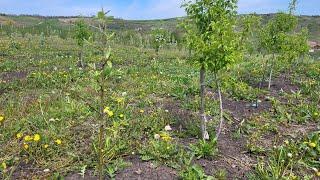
{"x": 212, "y": 36}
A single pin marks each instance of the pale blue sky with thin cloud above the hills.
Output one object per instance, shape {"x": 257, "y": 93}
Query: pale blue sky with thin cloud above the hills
{"x": 142, "y": 9}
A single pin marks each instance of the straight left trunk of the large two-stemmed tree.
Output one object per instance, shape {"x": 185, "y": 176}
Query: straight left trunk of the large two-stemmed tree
{"x": 205, "y": 134}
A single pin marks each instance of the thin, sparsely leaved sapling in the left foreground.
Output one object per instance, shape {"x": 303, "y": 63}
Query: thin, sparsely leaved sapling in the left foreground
{"x": 100, "y": 72}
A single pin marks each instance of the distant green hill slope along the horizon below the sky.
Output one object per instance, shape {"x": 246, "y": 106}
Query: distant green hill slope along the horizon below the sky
{"x": 63, "y": 23}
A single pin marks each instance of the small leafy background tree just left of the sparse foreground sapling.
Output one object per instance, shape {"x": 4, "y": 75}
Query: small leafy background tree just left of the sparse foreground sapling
{"x": 82, "y": 34}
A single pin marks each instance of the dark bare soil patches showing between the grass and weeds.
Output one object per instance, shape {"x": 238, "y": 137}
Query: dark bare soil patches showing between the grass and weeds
{"x": 233, "y": 156}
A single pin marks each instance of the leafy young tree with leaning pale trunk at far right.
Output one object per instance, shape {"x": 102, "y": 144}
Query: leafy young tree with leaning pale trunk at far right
{"x": 277, "y": 33}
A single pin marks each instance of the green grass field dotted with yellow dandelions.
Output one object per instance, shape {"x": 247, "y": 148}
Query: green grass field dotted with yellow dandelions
{"x": 50, "y": 125}
